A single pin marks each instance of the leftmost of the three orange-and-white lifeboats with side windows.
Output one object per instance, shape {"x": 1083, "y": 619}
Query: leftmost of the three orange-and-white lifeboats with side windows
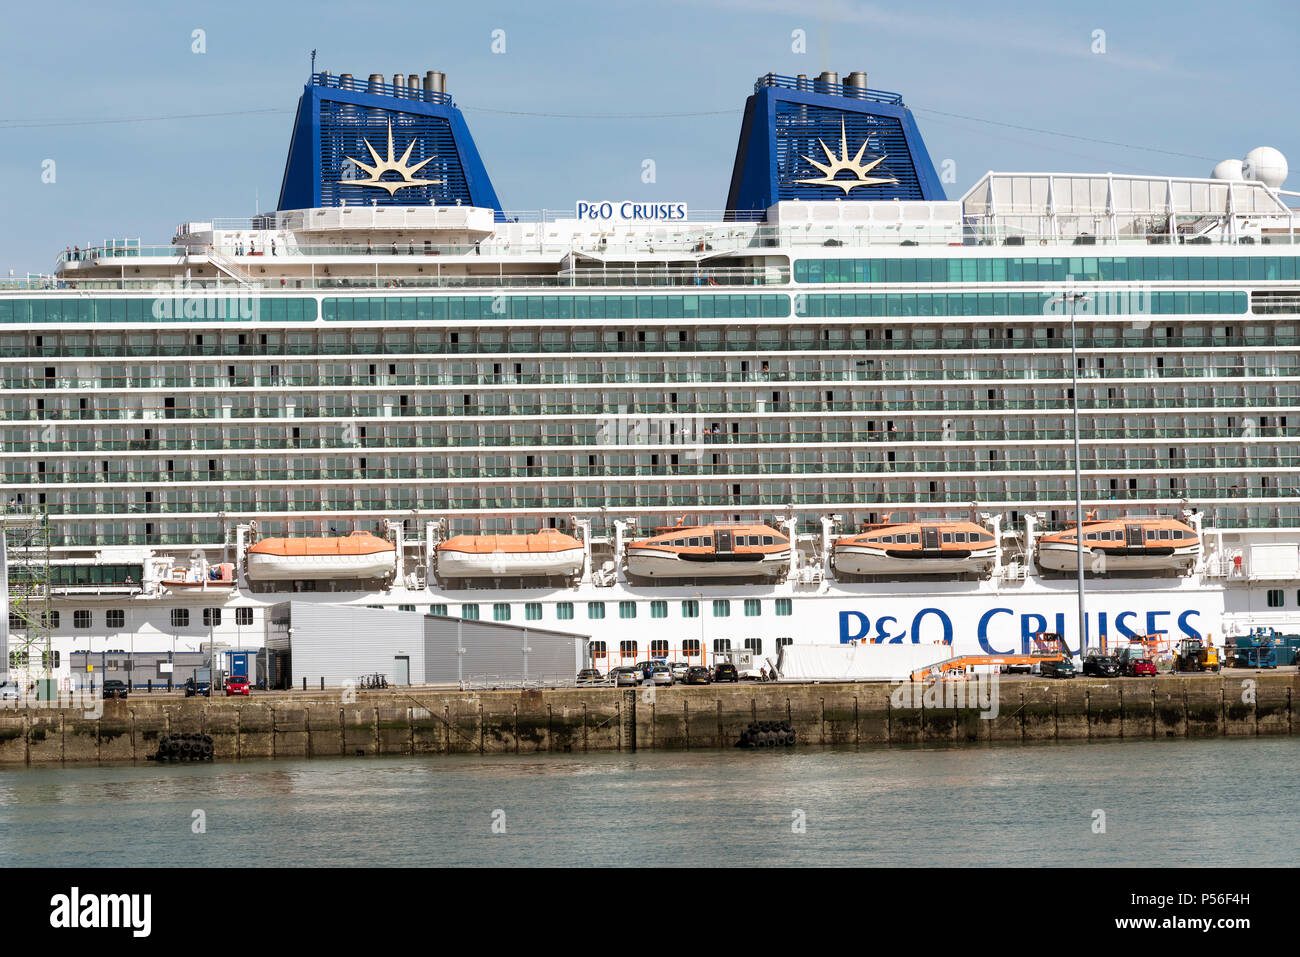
{"x": 710, "y": 552}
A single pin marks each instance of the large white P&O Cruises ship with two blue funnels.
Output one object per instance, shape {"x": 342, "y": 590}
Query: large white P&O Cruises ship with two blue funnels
{"x": 842, "y": 409}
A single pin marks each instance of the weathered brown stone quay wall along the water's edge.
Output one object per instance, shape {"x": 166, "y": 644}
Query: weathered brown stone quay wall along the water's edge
{"x": 588, "y": 720}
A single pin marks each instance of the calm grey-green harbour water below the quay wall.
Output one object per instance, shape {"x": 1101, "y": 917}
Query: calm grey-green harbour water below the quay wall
{"x": 1191, "y": 803}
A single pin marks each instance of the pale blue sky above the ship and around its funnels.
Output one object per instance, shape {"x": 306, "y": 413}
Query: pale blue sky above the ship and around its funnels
{"x": 1199, "y": 81}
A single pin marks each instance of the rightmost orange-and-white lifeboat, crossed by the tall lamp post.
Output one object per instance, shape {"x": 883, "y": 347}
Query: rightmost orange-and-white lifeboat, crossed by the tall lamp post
{"x": 1123, "y": 545}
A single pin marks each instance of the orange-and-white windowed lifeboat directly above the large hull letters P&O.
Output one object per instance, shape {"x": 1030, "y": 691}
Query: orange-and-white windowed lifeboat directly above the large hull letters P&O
{"x": 917, "y": 548}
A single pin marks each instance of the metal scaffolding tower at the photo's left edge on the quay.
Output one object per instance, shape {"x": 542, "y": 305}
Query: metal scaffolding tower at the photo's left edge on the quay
{"x": 27, "y": 629}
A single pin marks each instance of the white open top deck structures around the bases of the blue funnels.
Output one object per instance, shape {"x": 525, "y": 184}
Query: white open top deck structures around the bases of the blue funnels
{"x": 463, "y": 246}
